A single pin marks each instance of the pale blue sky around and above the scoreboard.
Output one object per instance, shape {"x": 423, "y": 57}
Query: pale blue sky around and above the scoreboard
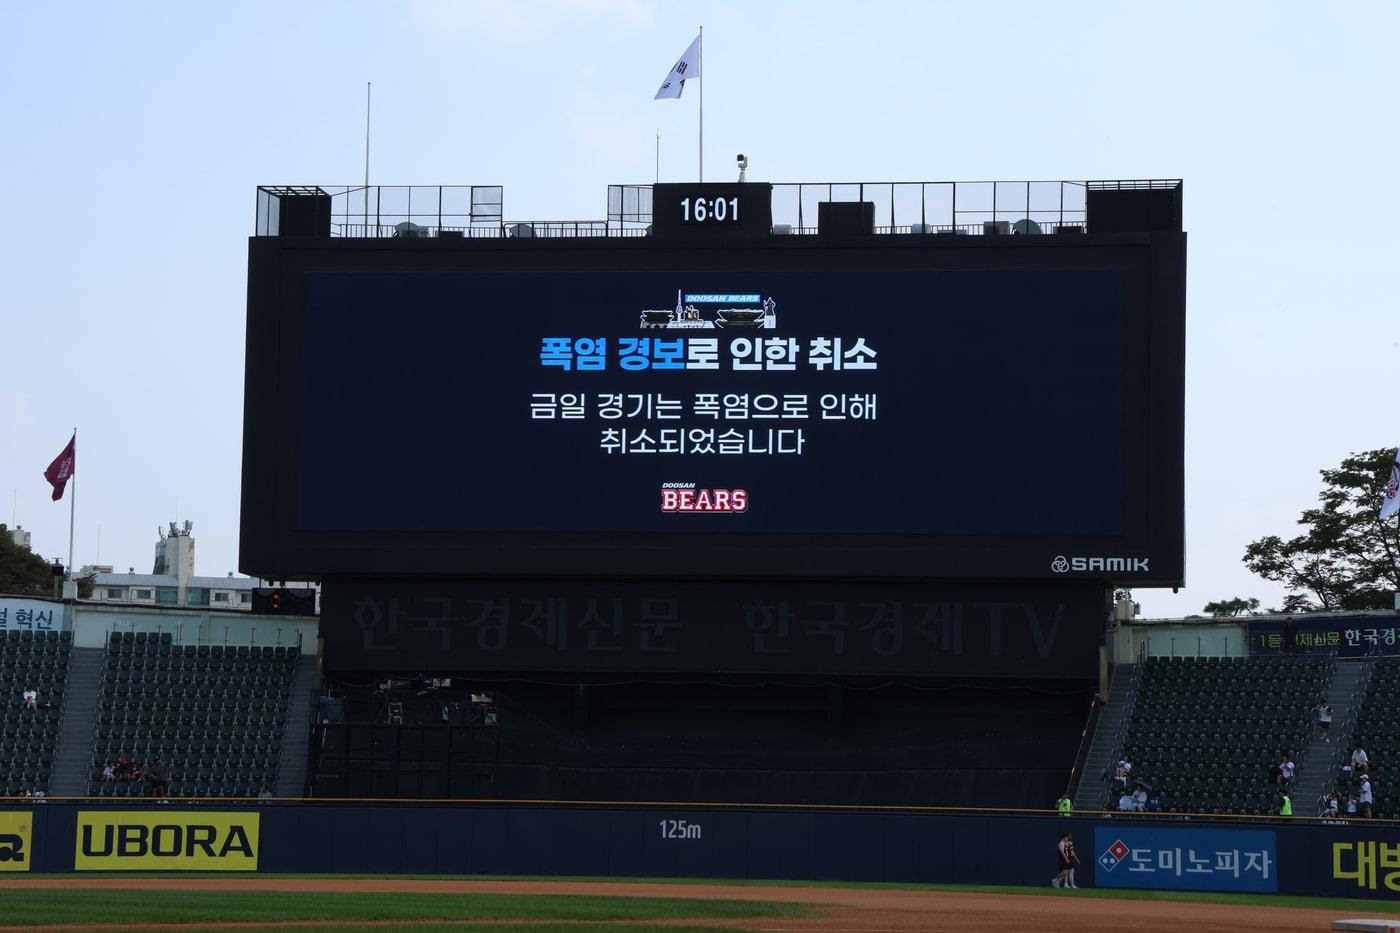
{"x": 134, "y": 138}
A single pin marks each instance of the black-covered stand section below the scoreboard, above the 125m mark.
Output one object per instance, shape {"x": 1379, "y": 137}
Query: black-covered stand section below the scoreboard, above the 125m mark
{"x": 950, "y": 745}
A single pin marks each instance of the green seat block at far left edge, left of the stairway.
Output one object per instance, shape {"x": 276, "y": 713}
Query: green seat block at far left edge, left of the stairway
{"x": 37, "y": 661}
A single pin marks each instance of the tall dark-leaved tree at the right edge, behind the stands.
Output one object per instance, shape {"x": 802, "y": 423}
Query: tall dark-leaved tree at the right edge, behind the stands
{"x": 1346, "y": 558}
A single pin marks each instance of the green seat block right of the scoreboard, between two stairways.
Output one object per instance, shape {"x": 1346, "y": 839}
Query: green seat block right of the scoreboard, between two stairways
{"x": 1207, "y": 733}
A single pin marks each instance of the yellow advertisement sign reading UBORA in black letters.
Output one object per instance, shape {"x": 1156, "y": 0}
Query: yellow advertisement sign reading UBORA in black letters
{"x": 167, "y": 841}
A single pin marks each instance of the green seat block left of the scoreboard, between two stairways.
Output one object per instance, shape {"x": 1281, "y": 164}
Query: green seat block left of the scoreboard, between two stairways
{"x": 213, "y": 714}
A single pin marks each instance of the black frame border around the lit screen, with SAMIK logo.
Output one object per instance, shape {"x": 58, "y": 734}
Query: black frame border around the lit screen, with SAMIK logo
{"x": 1150, "y": 553}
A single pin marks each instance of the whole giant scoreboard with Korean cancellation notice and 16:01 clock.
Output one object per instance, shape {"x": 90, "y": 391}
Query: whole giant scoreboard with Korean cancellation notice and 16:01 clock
{"x": 703, "y": 406}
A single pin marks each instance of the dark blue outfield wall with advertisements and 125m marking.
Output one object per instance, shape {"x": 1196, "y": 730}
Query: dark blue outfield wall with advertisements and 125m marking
{"x": 723, "y": 843}
